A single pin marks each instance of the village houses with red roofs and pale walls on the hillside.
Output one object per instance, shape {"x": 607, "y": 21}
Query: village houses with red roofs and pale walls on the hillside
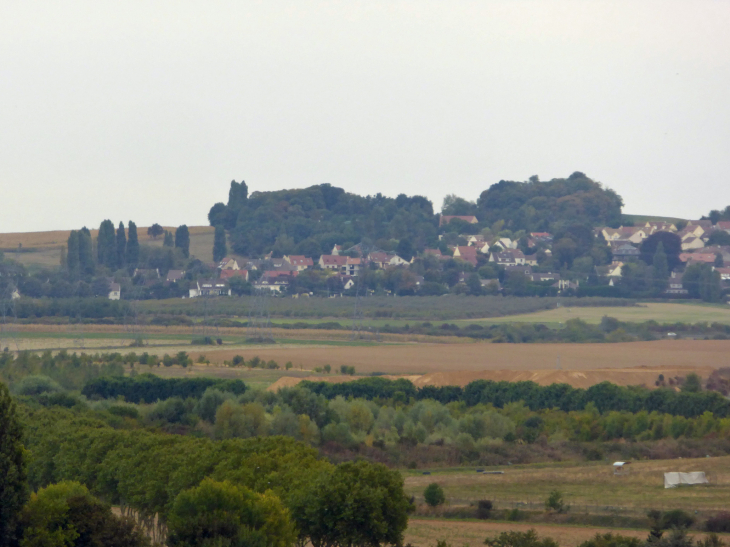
{"x": 276, "y": 274}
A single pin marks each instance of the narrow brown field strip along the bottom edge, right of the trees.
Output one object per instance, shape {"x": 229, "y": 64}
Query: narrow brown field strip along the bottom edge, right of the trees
{"x": 425, "y": 532}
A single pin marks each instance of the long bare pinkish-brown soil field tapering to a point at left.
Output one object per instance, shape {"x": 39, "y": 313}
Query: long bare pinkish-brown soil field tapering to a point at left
{"x": 473, "y": 357}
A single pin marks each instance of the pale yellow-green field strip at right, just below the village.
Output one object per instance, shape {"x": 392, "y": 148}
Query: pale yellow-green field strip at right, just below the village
{"x": 664, "y": 312}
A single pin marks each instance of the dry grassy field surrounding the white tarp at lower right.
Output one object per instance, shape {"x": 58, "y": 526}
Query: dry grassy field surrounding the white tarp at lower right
{"x": 587, "y": 487}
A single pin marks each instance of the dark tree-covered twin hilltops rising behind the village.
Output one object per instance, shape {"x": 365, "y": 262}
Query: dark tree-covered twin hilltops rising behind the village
{"x": 312, "y": 220}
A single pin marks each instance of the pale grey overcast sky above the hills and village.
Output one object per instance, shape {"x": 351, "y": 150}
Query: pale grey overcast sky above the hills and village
{"x": 146, "y": 110}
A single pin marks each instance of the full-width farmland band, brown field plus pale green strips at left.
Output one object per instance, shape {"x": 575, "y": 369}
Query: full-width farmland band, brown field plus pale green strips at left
{"x": 447, "y": 362}
